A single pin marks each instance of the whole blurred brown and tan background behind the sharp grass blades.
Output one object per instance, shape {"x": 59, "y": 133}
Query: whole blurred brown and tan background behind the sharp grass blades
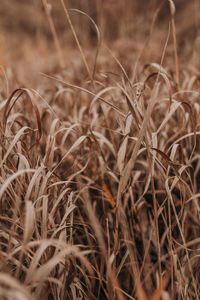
{"x": 25, "y": 35}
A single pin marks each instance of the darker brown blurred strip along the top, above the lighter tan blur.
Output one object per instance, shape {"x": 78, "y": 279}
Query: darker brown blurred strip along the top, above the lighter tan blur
{"x": 115, "y": 18}
